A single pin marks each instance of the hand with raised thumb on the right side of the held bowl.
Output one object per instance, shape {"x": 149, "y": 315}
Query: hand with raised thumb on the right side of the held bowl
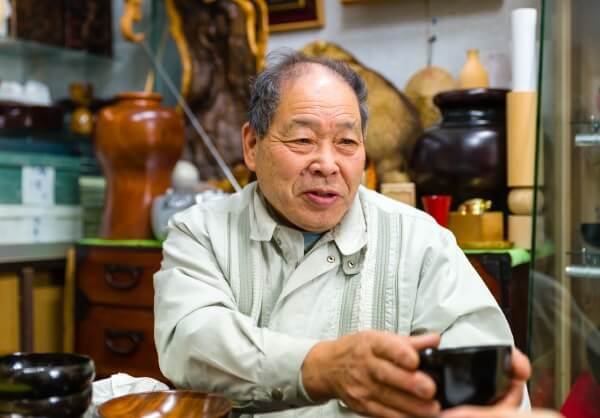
{"x": 505, "y": 407}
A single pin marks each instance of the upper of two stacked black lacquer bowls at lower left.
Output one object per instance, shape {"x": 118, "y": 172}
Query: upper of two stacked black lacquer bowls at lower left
{"x": 44, "y": 375}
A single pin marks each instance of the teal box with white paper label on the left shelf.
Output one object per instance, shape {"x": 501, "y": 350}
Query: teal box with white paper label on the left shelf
{"x": 66, "y": 180}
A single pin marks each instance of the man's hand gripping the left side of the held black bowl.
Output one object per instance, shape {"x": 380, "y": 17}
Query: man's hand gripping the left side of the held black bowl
{"x": 373, "y": 373}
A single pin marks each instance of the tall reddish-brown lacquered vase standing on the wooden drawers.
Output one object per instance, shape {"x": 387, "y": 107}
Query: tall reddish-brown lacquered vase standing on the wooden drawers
{"x": 137, "y": 143}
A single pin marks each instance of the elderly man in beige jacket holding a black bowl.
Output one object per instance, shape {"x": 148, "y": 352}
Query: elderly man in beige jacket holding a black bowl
{"x": 306, "y": 292}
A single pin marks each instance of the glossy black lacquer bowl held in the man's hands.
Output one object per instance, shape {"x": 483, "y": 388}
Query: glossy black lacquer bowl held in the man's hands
{"x": 477, "y": 375}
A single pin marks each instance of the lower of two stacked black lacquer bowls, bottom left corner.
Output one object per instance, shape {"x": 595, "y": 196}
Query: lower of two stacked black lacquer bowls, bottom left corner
{"x": 67, "y": 406}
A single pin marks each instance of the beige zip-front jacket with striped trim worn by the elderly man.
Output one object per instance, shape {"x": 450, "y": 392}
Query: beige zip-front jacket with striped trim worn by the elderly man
{"x": 238, "y": 304}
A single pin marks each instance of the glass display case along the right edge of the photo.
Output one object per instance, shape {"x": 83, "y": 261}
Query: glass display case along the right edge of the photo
{"x": 564, "y": 310}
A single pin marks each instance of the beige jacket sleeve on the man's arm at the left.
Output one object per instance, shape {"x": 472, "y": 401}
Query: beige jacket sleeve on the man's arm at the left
{"x": 205, "y": 343}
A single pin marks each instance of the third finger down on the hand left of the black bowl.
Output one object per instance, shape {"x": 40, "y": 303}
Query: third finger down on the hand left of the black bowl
{"x": 415, "y": 382}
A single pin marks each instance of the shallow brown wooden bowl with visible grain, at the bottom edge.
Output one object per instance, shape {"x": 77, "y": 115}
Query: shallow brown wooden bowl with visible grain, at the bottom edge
{"x": 166, "y": 404}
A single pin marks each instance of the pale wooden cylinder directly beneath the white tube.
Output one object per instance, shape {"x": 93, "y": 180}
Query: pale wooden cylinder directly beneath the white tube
{"x": 521, "y": 129}
